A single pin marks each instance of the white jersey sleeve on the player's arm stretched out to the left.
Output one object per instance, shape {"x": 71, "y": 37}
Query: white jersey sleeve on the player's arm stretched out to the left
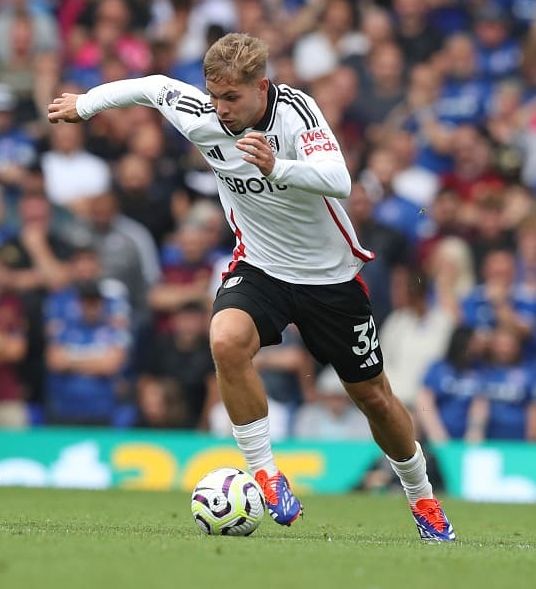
{"x": 179, "y": 103}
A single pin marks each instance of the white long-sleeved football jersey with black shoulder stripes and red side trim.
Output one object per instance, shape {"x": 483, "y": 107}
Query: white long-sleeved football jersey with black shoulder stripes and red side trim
{"x": 300, "y": 234}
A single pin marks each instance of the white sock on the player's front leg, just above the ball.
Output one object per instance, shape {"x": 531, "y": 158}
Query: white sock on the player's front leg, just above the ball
{"x": 253, "y": 439}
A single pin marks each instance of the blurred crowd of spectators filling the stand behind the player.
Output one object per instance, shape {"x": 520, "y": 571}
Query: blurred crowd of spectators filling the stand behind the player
{"x": 112, "y": 240}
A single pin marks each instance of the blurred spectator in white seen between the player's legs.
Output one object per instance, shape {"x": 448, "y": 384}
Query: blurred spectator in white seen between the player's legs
{"x": 332, "y": 416}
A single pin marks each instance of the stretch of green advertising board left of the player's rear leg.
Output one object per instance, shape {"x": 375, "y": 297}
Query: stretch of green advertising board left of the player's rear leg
{"x": 90, "y": 458}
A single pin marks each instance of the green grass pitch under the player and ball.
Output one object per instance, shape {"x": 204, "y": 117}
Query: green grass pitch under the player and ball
{"x": 51, "y": 539}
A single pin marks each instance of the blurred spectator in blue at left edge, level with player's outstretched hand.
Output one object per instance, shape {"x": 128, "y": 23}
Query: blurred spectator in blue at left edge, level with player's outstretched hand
{"x": 17, "y": 149}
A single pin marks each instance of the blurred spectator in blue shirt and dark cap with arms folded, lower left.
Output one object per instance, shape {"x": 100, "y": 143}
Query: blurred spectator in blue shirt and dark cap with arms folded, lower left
{"x": 85, "y": 360}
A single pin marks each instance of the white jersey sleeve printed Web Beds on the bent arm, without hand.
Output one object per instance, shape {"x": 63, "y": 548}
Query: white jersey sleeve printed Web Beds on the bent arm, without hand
{"x": 319, "y": 166}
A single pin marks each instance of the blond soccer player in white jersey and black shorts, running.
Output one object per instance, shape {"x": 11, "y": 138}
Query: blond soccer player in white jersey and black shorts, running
{"x": 281, "y": 176}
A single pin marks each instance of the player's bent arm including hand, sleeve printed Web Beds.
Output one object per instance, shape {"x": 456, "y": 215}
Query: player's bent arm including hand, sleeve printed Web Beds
{"x": 319, "y": 168}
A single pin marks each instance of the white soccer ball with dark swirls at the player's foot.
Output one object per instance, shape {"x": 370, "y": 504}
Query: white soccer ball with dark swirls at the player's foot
{"x": 228, "y": 502}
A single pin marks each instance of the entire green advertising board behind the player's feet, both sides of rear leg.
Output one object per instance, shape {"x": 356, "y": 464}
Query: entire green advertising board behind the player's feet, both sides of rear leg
{"x": 141, "y": 459}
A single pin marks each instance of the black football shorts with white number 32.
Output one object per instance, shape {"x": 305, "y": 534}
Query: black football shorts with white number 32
{"x": 334, "y": 320}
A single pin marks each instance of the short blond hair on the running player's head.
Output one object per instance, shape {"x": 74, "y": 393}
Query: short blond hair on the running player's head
{"x": 236, "y": 57}
